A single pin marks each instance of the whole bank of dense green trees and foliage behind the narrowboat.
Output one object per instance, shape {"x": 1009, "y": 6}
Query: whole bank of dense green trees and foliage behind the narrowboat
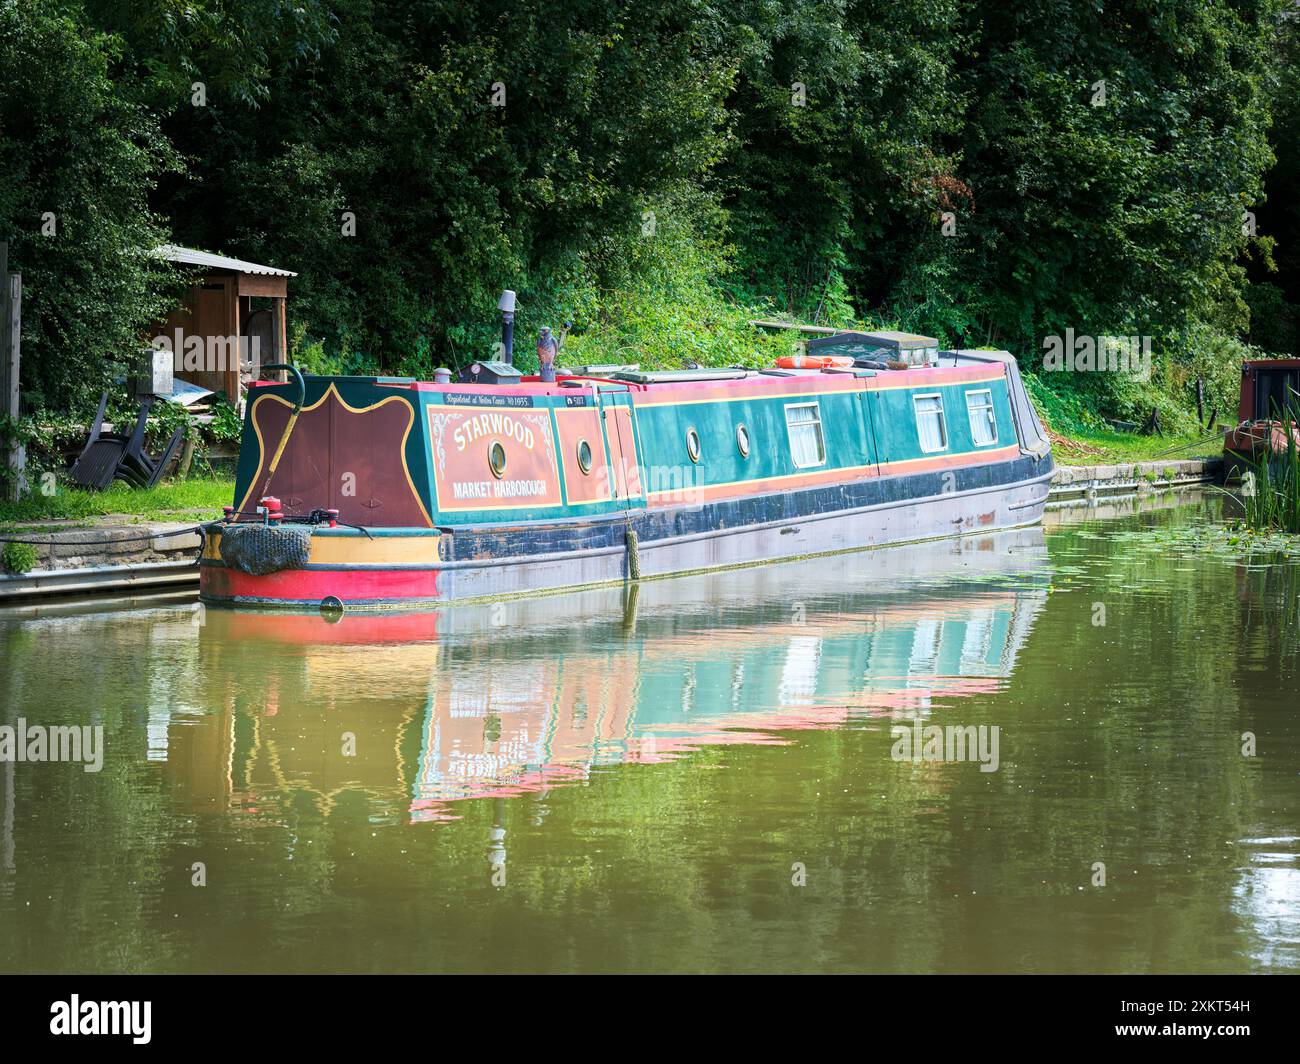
{"x": 661, "y": 171}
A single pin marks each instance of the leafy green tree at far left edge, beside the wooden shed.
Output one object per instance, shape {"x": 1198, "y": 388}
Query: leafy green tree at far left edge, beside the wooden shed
{"x": 77, "y": 161}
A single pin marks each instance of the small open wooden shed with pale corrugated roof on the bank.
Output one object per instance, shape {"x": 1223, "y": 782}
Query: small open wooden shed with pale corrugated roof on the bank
{"x": 235, "y": 310}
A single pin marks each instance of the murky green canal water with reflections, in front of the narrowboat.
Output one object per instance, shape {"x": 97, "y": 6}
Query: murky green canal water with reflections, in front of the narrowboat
{"x": 713, "y": 773}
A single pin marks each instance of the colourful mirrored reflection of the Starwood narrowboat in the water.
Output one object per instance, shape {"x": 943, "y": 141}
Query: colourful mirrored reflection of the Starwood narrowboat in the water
{"x": 418, "y": 712}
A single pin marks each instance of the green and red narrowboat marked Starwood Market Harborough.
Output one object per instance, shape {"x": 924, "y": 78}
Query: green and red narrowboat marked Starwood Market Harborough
{"x": 372, "y": 494}
